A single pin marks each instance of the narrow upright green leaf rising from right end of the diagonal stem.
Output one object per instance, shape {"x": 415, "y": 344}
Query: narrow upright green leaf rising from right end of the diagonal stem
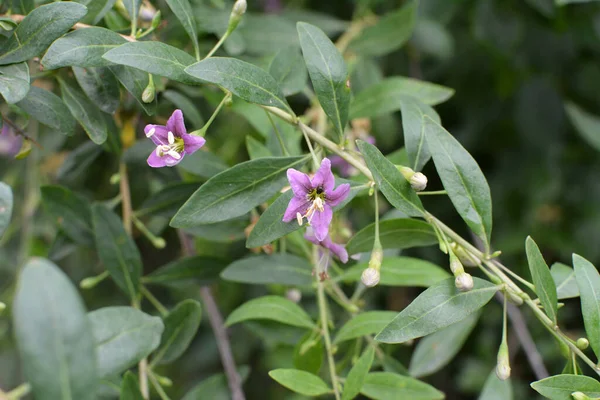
{"x": 542, "y": 279}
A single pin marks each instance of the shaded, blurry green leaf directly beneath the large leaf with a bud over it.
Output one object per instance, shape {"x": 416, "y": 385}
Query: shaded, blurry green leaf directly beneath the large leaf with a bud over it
{"x": 438, "y": 349}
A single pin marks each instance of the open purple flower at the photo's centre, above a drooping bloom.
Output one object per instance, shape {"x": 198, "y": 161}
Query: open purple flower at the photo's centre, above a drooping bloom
{"x": 314, "y": 198}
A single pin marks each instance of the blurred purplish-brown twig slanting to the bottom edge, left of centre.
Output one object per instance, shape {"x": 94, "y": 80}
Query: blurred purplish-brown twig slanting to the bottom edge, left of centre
{"x": 216, "y": 322}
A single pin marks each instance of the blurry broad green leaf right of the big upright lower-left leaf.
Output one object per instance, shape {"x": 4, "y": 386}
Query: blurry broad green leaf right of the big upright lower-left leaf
{"x": 123, "y": 337}
